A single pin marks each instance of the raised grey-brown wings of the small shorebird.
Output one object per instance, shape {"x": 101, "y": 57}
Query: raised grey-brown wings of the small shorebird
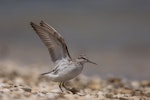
{"x": 52, "y": 40}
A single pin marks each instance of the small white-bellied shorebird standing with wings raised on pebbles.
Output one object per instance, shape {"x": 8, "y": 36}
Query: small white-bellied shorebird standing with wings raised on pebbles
{"x": 65, "y": 68}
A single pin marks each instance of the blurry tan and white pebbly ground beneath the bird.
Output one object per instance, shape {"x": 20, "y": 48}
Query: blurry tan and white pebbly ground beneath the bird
{"x": 27, "y": 84}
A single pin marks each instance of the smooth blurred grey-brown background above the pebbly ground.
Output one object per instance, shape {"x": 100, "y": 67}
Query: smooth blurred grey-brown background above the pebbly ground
{"x": 113, "y": 33}
